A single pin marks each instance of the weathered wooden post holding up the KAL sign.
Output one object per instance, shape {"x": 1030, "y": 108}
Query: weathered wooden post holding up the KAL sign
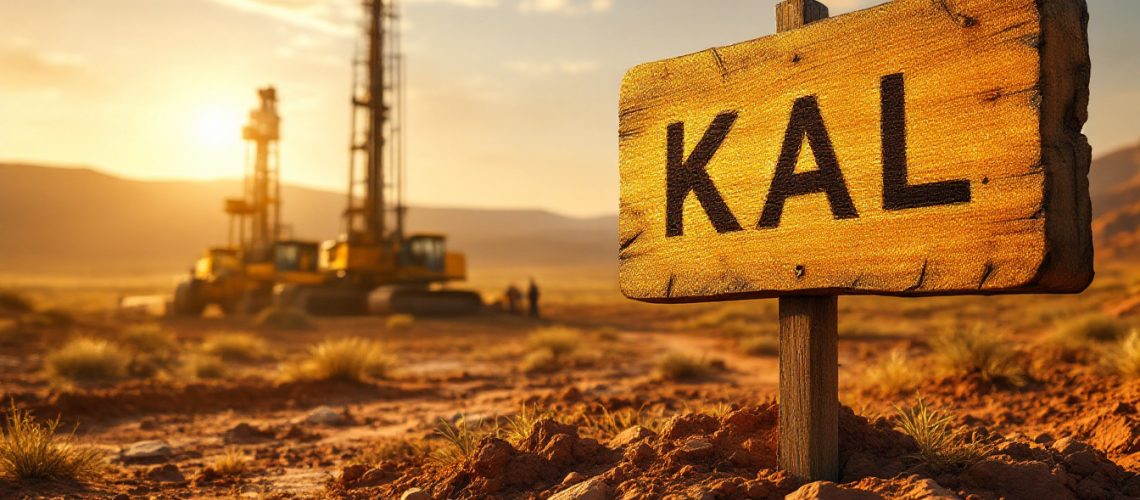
{"x": 809, "y": 349}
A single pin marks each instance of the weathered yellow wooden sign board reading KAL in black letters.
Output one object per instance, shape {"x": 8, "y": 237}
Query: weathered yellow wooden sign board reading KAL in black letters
{"x": 916, "y": 149}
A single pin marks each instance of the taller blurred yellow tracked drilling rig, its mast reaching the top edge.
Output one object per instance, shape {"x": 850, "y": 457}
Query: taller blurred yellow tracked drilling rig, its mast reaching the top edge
{"x": 376, "y": 265}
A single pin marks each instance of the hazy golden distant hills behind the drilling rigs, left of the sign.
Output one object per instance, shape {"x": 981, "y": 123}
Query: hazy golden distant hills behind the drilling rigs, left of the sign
{"x": 59, "y": 220}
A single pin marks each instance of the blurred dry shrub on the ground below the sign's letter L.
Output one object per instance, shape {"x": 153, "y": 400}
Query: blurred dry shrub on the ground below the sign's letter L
{"x": 976, "y": 351}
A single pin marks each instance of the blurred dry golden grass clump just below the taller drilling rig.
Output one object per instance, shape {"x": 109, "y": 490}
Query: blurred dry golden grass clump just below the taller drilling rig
{"x": 347, "y": 360}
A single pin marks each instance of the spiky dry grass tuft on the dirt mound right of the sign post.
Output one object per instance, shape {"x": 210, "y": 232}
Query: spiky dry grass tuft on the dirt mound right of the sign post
{"x": 942, "y": 445}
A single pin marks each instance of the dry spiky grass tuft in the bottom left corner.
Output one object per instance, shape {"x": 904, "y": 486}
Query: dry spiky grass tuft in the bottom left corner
{"x": 35, "y": 452}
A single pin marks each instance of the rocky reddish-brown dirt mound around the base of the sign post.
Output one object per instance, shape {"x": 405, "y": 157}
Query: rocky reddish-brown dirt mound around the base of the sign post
{"x": 699, "y": 456}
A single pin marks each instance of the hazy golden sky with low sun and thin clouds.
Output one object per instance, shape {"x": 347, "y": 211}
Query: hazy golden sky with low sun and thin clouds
{"x": 514, "y": 103}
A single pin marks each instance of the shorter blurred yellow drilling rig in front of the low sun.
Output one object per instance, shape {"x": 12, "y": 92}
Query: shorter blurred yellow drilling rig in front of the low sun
{"x": 241, "y": 276}
